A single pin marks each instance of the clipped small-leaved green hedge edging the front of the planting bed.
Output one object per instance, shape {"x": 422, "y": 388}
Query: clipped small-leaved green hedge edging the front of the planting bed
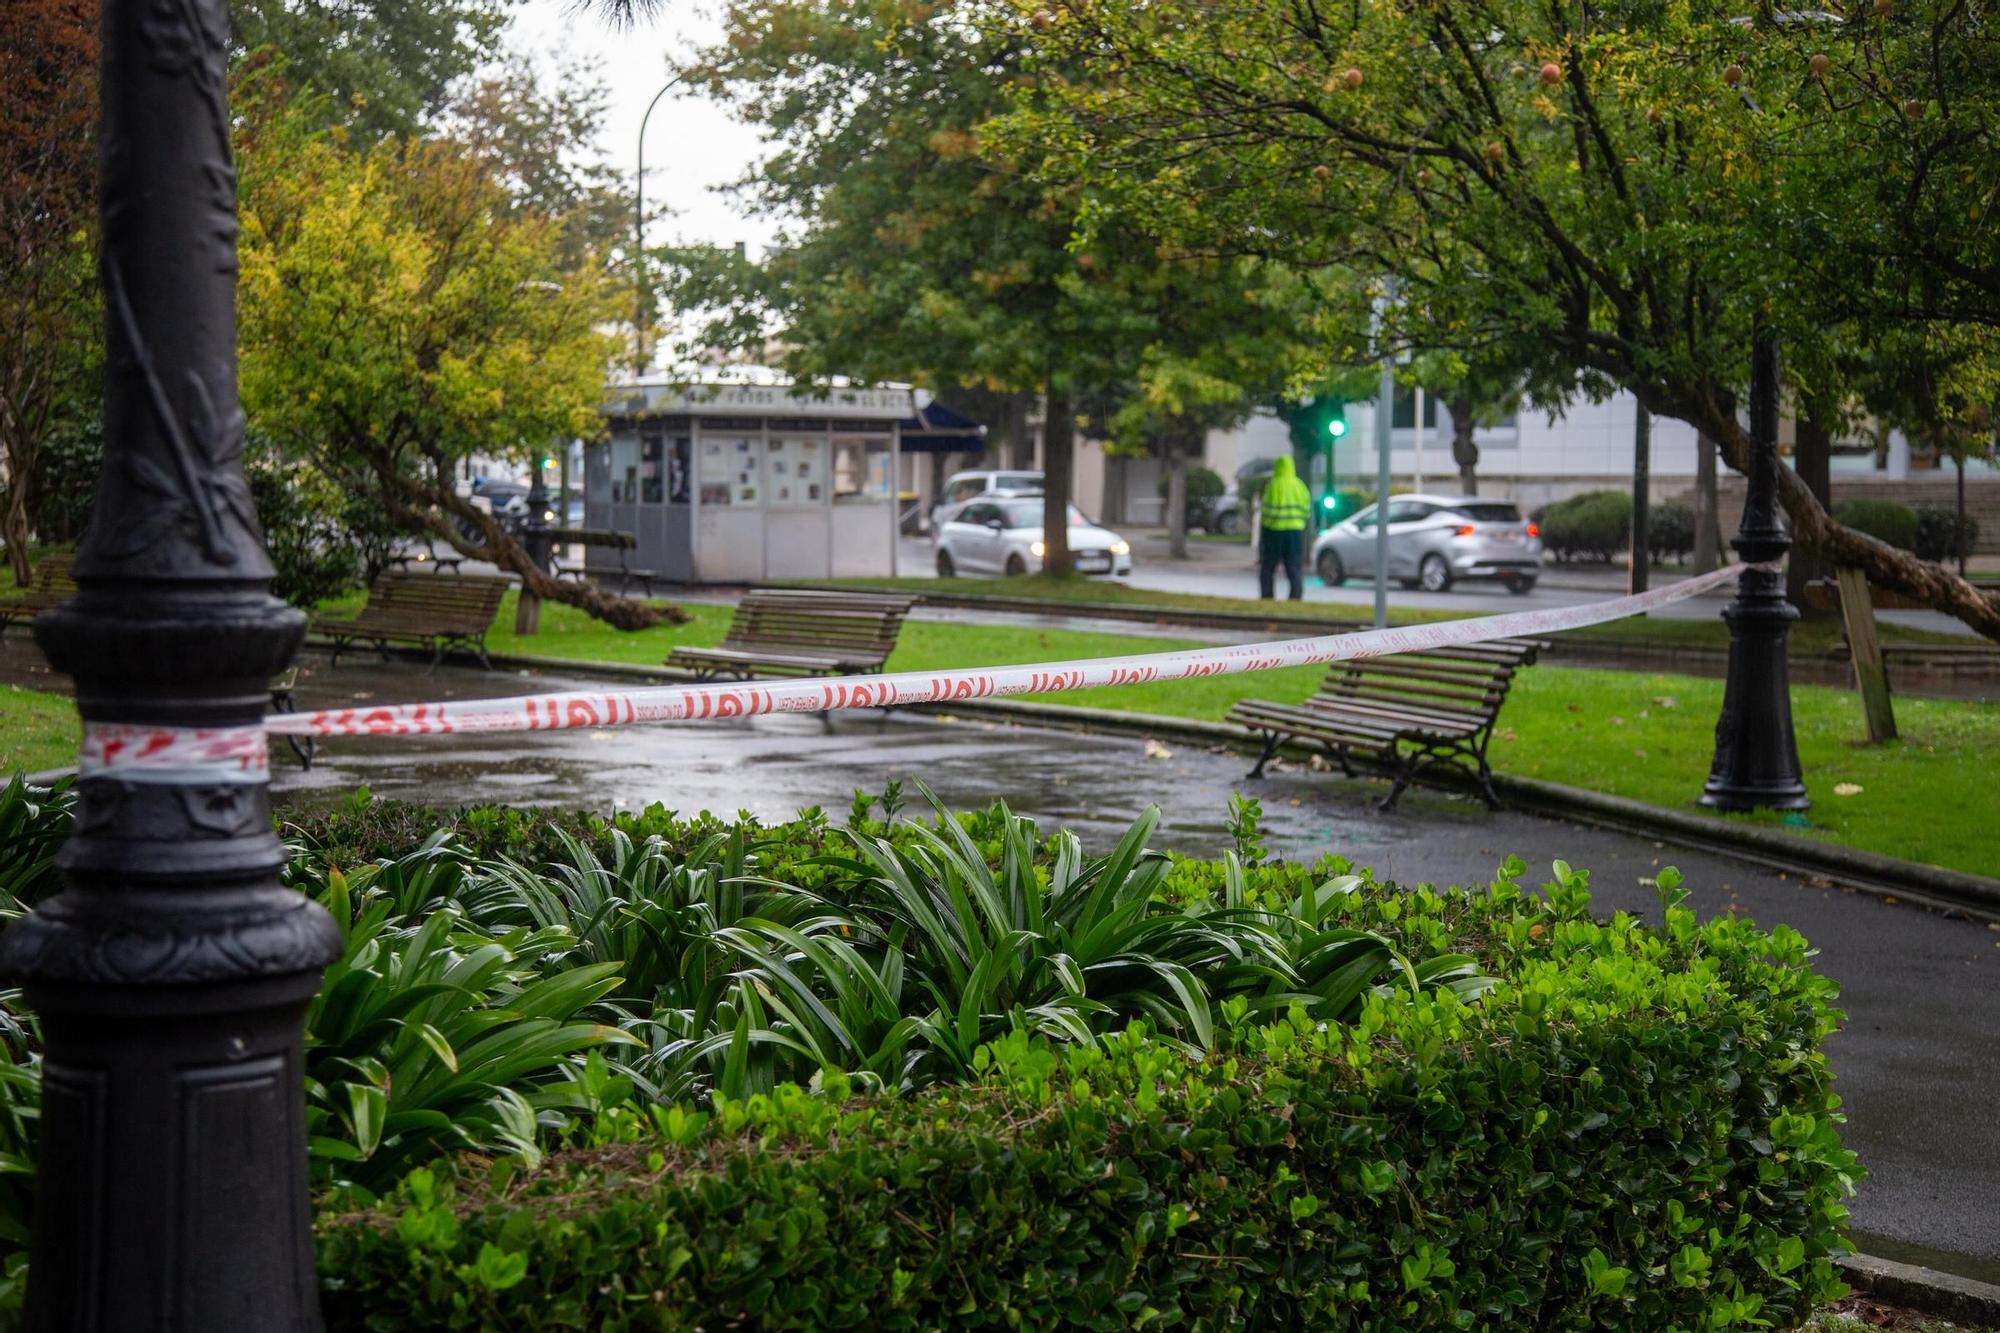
{"x": 1633, "y": 1132}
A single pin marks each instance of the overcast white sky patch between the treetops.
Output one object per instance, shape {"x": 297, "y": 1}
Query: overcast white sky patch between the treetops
{"x": 691, "y": 143}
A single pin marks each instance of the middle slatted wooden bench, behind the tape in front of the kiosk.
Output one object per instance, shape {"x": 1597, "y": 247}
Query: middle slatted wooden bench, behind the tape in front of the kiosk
{"x": 803, "y": 635}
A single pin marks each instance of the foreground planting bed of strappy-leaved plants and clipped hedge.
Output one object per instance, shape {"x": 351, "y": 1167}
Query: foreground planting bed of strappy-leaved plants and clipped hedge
{"x": 953, "y": 1070}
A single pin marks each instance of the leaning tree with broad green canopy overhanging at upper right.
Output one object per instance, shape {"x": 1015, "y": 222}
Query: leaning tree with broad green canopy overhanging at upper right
{"x": 1605, "y": 203}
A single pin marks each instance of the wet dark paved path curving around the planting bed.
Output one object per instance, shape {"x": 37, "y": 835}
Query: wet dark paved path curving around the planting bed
{"x": 1919, "y": 1060}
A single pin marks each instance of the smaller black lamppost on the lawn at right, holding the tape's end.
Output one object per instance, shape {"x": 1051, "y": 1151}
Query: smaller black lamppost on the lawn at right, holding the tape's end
{"x": 1757, "y": 754}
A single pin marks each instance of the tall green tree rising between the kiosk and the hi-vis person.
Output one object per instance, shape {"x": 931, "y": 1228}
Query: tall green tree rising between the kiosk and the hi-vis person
{"x": 917, "y": 249}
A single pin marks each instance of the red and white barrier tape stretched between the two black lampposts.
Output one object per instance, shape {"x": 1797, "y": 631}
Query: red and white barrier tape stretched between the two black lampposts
{"x": 687, "y": 704}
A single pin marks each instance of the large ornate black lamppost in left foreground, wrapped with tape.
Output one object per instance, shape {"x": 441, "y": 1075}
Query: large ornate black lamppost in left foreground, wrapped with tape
{"x": 173, "y": 972}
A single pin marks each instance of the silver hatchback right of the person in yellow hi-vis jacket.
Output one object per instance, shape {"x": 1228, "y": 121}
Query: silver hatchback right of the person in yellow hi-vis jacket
{"x": 1437, "y": 541}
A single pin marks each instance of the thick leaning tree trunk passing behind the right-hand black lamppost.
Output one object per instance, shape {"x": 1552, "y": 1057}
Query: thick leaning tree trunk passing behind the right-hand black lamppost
{"x": 1815, "y": 531}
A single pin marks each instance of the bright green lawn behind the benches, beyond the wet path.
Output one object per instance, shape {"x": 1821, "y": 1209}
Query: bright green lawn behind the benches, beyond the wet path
{"x": 1635, "y": 736}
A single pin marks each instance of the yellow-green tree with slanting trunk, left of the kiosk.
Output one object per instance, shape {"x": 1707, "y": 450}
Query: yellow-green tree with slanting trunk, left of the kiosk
{"x": 399, "y": 315}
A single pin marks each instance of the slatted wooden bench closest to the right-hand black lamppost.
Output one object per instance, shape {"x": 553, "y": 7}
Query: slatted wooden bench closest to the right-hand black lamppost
{"x": 1411, "y": 712}
